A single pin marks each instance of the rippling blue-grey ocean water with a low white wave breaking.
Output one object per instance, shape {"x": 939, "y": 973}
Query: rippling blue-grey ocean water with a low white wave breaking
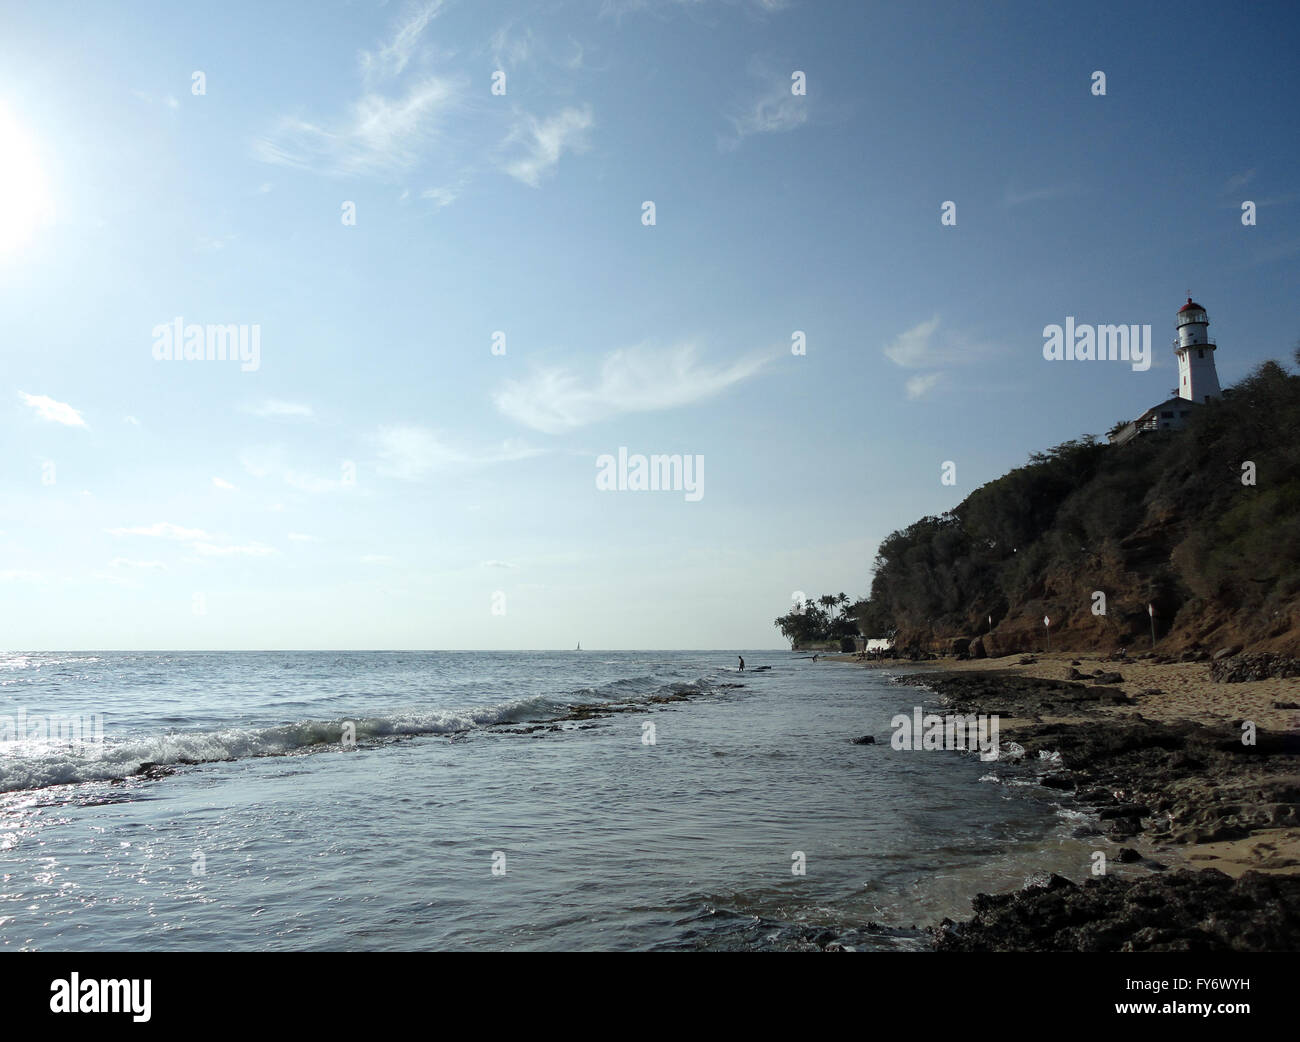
{"x": 479, "y": 807}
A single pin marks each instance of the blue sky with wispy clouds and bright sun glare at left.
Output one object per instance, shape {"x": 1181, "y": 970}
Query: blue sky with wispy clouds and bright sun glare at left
{"x": 432, "y": 220}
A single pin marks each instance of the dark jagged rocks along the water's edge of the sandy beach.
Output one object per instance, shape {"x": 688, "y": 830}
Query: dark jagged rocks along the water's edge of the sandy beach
{"x": 1168, "y": 785}
